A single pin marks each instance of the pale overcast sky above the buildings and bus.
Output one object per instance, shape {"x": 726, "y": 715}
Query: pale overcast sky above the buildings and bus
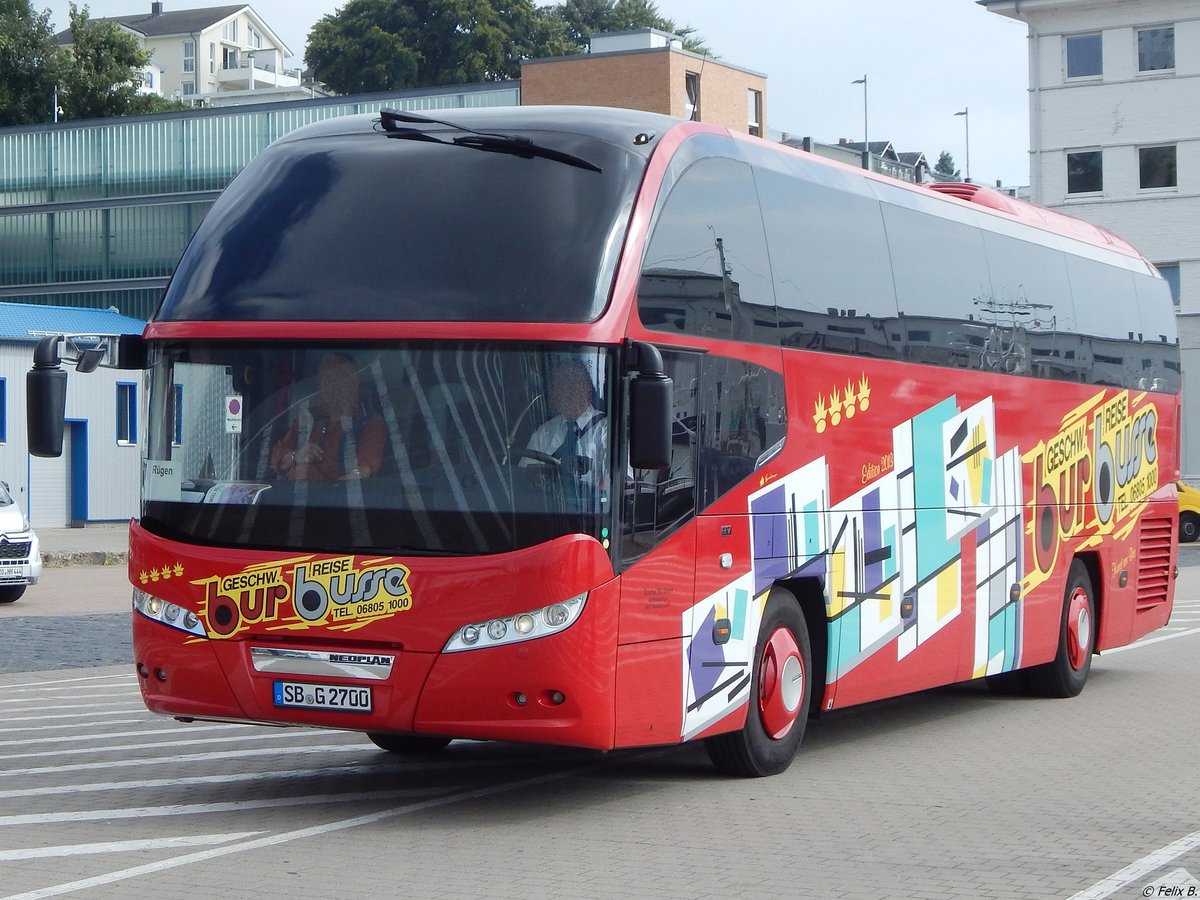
{"x": 925, "y": 61}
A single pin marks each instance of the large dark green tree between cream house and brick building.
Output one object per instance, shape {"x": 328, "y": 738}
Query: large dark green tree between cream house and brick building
{"x": 389, "y": 45}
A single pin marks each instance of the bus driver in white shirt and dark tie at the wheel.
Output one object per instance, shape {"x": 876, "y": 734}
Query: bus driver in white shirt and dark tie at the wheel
{"x": 577, "y": 436}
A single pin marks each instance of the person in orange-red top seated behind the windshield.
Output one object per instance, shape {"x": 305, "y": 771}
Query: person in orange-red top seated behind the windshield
{"x": 335, "y": 440}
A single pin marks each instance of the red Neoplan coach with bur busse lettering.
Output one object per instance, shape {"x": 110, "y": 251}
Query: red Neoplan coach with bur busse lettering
{"x": 598, "y": 429}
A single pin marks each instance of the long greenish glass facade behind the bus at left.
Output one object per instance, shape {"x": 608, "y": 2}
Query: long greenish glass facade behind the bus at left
{"x": 97, "y": 214}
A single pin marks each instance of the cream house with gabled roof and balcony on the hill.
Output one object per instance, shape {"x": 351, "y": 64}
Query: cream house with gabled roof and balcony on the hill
{"x": 220, "y": 56}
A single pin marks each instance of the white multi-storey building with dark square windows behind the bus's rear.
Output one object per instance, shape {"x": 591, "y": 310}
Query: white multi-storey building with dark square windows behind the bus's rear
{"x": 1115, "y": 140}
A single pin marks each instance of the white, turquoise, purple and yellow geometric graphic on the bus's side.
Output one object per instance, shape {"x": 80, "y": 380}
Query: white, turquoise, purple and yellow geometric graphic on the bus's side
{"x": 893, "y": 559}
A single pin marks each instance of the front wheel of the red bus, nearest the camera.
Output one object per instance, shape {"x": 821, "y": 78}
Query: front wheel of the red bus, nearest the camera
{"x": 781, "y": 694}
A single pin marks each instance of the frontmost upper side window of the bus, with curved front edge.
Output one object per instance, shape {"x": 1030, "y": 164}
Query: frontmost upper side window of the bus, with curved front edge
{"x": 706, "y": 269}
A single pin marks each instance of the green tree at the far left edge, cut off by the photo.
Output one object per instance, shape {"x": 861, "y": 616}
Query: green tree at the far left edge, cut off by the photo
{"x": 31, "y": 64}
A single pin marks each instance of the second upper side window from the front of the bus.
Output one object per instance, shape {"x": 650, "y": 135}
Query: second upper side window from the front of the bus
{"x": 830, "y": 256}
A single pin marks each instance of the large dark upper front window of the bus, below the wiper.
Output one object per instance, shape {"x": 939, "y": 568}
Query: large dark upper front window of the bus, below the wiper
{"x": 369, "y": 229}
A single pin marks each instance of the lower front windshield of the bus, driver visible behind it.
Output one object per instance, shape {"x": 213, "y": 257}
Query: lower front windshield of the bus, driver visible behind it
{"x": 431, "y": 448}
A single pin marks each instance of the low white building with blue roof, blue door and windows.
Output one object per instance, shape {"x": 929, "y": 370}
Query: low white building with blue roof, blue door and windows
{"x": 98, "y": 477}
